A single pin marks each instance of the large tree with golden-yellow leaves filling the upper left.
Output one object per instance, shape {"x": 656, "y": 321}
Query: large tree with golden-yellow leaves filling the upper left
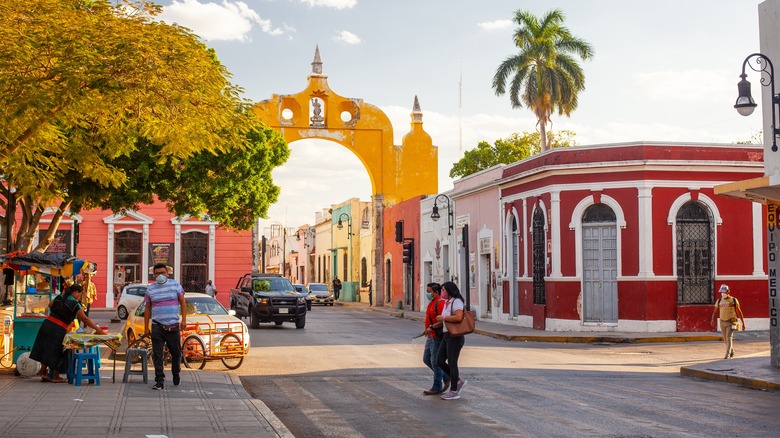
{"x": 90, "y": 90}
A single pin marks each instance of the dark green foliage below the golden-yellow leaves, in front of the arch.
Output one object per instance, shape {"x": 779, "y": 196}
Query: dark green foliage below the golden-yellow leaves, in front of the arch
{"x": 233, "y": 188}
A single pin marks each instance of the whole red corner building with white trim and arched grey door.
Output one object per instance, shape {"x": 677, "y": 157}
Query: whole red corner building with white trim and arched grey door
{"x": 630, "y": 237}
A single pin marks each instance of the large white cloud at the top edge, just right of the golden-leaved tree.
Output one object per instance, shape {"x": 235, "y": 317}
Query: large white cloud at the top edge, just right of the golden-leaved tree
{"x": 226, "y": 21}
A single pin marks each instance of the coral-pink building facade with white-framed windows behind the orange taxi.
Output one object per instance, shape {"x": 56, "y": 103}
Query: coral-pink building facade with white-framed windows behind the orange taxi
{"x": 125, "y": 247}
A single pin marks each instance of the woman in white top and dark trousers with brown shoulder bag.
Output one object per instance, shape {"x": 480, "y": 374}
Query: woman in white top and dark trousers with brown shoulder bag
{"x": 451, "y": 345}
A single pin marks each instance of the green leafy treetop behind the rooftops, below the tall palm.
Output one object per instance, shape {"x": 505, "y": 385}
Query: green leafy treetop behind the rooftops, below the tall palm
{"x": 516, "y": 147}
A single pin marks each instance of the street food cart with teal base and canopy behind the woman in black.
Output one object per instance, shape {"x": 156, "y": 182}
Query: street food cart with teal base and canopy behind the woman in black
{"x": 38, "y": 278}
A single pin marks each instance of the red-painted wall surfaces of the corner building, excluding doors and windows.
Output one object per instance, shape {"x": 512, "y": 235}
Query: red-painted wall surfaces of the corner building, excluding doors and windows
{"x": 638, "y": 299}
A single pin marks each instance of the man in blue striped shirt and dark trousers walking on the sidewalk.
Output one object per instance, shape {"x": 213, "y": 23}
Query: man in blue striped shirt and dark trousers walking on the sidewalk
{"x": 164, "y": 304}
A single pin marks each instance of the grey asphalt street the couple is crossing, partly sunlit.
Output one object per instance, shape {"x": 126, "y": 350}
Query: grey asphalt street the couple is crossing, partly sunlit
{"x": 358, "y": 373}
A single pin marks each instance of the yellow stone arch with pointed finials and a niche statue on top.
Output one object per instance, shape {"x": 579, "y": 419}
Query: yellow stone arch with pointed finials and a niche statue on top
{"x": 397, "y": 173}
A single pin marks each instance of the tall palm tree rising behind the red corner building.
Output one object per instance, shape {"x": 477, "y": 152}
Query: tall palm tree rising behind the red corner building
{"x": 546, "y": 75}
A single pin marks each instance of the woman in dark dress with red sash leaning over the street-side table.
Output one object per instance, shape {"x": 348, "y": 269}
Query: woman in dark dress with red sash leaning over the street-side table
{"x": 47, "y": 348}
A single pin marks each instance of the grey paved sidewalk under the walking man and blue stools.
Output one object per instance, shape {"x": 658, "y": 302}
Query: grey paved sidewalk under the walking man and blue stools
{"x": 205, "y": 404}
